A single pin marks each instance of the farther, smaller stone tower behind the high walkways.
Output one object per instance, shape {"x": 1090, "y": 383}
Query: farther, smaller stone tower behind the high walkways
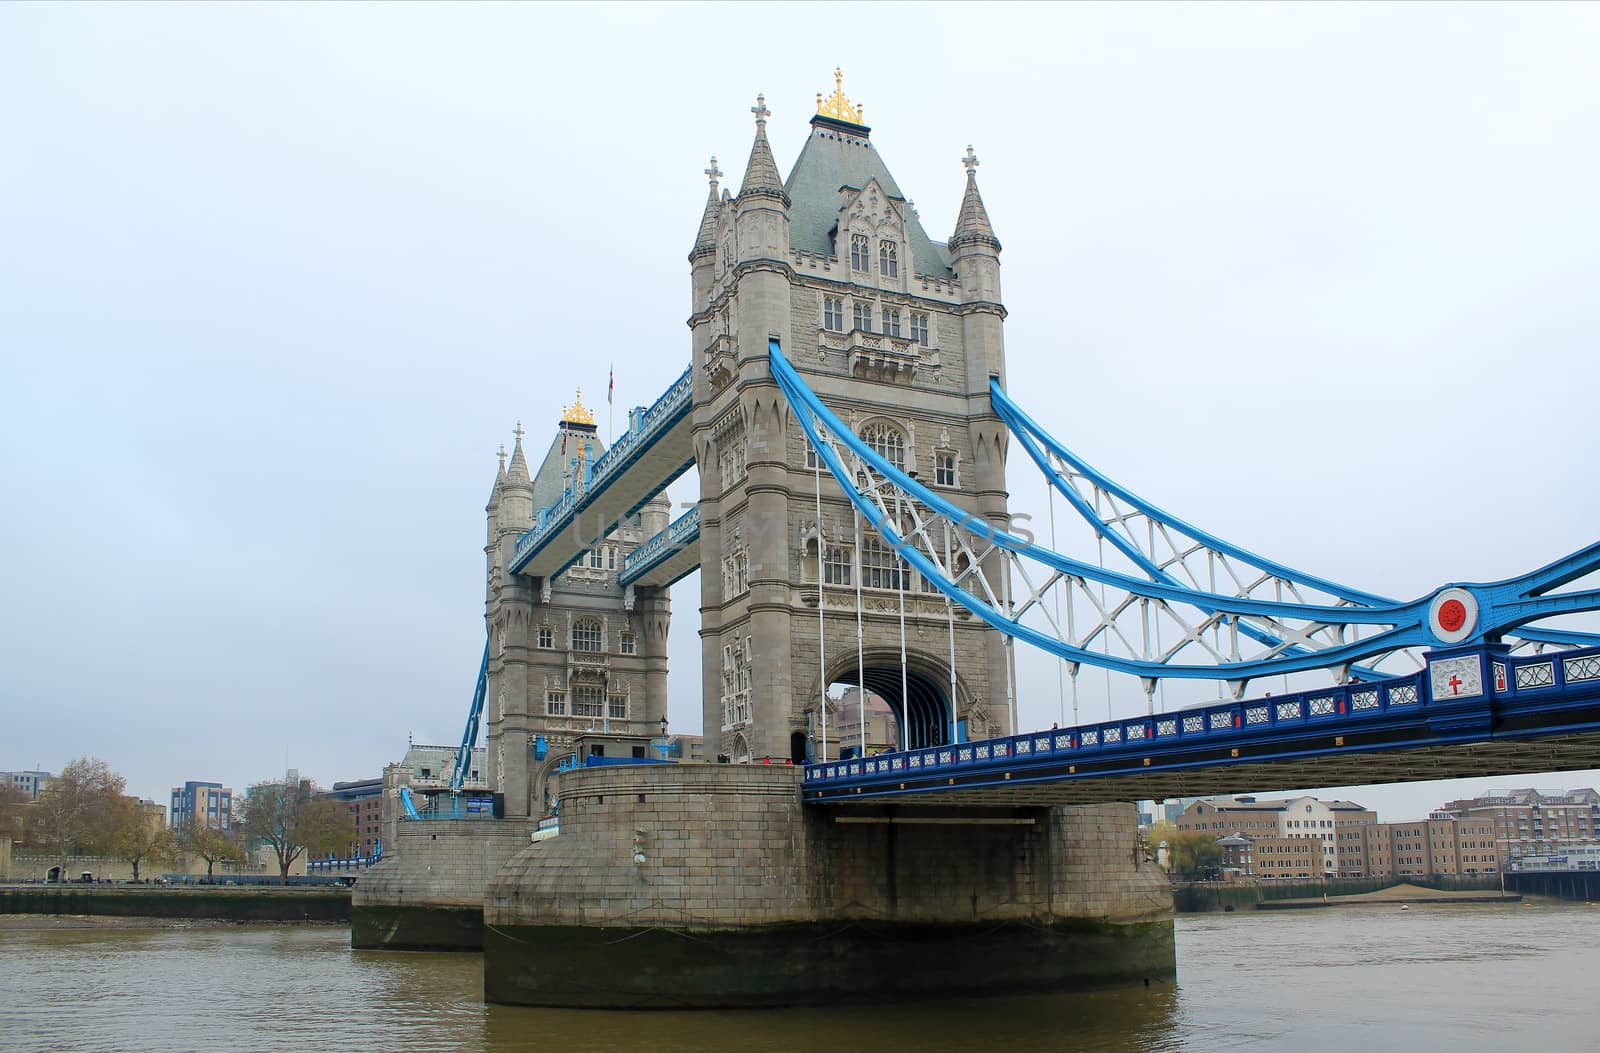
{"x": 577, "y": 657}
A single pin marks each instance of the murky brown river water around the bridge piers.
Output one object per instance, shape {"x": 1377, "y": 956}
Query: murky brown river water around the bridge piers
{"x": 1356, "y": 980}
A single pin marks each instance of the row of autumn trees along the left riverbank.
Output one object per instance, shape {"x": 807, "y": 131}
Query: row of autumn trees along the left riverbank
{"x": 86, "y": 812}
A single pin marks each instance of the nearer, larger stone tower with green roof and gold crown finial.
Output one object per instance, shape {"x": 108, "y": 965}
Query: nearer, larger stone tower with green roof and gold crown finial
{"x": 900, "y": 337}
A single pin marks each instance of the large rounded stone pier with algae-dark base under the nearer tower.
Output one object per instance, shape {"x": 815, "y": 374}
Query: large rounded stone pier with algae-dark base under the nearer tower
{"x": 711, "y": 886}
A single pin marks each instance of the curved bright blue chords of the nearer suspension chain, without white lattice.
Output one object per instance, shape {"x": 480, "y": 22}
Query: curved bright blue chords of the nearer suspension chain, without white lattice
{"x": 1502, "y": 606}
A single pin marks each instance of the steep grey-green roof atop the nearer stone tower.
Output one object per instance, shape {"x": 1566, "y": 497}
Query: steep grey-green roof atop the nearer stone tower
{"x": 834, "y": 159}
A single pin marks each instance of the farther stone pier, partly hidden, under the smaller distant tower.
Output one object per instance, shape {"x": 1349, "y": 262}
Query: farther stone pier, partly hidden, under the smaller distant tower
{"x": 428, "y": 895}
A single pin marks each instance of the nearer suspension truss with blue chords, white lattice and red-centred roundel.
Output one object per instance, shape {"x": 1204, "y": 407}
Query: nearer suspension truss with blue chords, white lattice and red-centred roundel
{"x": 974, "y": 561}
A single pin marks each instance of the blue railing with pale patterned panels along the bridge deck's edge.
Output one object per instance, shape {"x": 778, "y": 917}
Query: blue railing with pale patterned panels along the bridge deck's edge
{"x": 1514, "y": 684}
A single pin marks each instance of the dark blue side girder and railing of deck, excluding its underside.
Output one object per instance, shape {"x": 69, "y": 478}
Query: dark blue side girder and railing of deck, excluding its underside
{"x": 1522, "y": 699}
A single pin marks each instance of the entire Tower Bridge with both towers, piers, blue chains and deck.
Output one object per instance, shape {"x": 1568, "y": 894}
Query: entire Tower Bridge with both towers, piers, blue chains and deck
{"x": 847, "y": 414}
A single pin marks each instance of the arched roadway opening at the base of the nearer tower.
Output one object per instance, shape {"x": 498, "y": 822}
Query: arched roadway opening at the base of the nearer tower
{"x": 919, "y": 702}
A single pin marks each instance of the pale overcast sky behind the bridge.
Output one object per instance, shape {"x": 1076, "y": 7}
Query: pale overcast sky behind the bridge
{"x": 276, "y": 282}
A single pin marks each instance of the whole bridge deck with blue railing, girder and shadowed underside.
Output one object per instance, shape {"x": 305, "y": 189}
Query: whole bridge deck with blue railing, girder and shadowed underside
{"x": 1532, "y": 715}
